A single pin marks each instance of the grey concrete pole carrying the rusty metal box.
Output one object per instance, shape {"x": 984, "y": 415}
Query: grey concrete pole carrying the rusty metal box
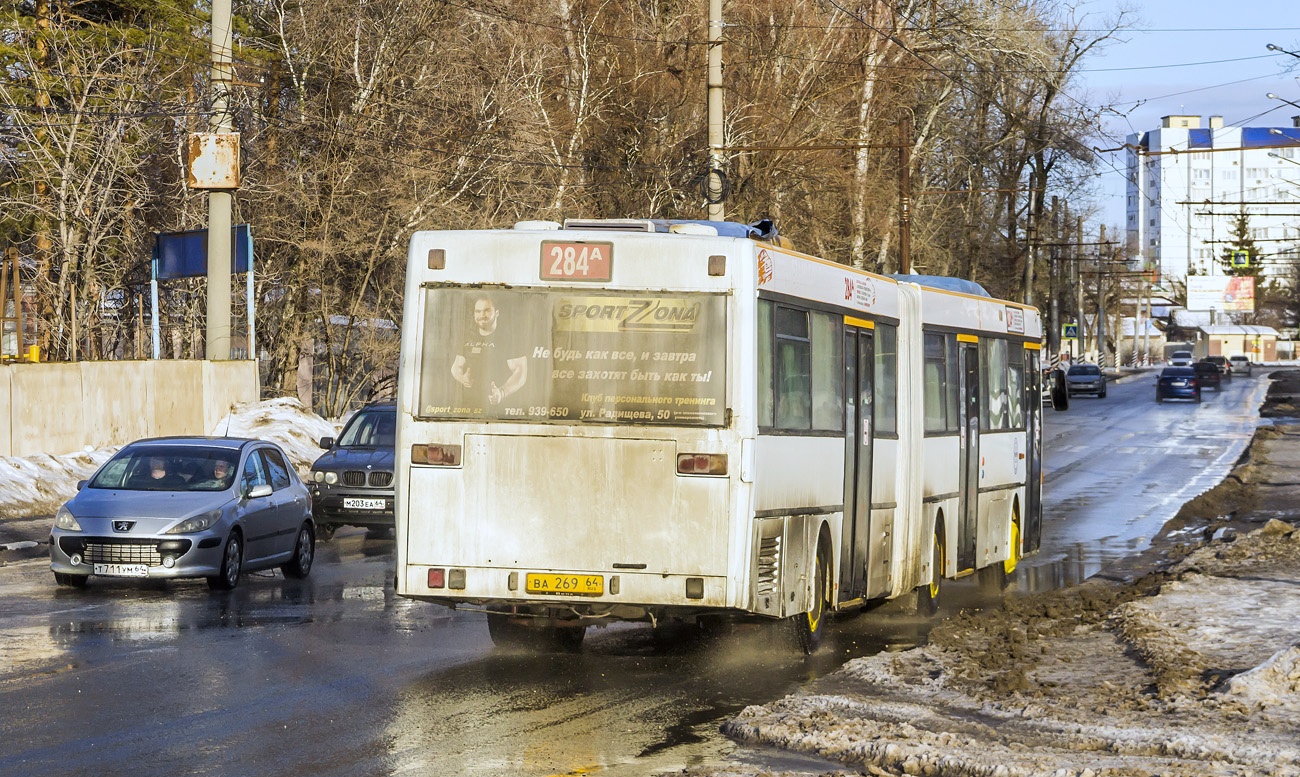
{"x": 218, "y": 345}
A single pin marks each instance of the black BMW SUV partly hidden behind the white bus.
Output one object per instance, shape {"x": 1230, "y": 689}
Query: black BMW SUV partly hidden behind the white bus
{"x": 352, "y": 483}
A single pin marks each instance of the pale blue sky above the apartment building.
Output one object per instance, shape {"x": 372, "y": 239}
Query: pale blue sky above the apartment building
{"x": 1195, "y": 58}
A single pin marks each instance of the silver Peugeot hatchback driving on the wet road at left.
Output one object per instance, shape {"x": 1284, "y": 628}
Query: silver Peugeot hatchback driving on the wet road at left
{"x": 187, "y": 507}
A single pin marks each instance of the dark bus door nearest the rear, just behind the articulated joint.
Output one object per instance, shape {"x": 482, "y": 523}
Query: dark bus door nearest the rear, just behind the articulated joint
{"x": 856, "y": 541}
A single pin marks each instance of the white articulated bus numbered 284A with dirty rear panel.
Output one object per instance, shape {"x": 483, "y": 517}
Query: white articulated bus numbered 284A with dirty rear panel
{"x": 653, "y": 420}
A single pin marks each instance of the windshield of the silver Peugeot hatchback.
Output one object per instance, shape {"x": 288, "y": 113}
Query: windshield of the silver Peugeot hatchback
{"x": 168, "y": 468}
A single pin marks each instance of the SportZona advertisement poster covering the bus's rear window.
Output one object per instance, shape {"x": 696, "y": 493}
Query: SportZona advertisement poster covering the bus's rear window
{"x": 574, "y": 357}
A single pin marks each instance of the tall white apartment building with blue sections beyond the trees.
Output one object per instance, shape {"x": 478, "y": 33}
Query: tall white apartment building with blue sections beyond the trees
{"x": 1188, "y": 184}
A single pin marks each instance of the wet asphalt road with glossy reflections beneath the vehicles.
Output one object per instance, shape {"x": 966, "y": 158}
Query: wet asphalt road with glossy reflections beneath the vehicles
{"x": 337, "y": 676}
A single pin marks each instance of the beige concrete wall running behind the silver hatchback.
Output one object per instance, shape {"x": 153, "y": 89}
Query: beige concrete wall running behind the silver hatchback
{"x": 63, "y": 407}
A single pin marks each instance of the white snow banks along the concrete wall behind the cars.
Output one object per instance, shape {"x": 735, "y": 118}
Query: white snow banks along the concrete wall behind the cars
{"x": 38, "y": 485}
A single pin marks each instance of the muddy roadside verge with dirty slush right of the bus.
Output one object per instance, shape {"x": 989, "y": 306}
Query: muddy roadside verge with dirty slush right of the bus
{"x": 1180, "y": 662}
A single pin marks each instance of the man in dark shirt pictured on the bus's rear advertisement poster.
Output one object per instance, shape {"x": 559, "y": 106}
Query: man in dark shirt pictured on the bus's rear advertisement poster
{"x": 488, "y": 366}
